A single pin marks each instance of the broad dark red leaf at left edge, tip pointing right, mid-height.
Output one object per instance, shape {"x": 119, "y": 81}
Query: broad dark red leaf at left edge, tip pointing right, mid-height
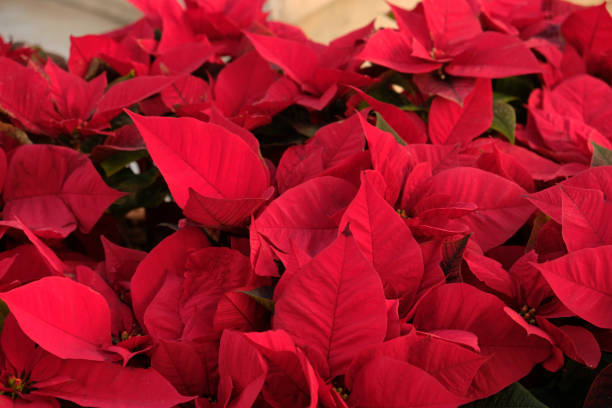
{"x": 53, "y": 189}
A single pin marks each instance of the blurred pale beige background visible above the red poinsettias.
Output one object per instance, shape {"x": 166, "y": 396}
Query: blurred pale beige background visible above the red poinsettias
{"x": 49, "y": 23}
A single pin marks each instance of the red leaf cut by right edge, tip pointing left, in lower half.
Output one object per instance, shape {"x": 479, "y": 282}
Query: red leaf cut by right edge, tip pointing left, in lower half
{"x": 581, "y": 280}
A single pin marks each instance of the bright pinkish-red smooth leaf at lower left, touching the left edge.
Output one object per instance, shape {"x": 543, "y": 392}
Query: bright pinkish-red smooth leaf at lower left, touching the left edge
{"x": 65, "y": 318}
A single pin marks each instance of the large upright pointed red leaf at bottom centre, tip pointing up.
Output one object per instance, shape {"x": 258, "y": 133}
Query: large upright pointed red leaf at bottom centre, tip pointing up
{"x": 348, "y": 313}
